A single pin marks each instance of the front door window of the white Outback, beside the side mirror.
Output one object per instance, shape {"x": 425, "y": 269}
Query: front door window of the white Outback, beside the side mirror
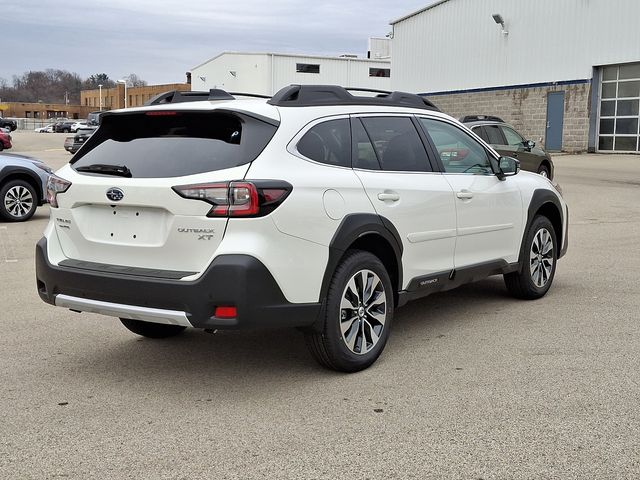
{"x": 458, "y": 152}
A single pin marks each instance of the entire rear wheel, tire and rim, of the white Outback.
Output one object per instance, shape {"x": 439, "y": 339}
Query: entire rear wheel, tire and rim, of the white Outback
{"x": 363, "y": 320}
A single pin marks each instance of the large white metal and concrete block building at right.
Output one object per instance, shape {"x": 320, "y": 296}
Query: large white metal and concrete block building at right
{"x": 566, "y": 73}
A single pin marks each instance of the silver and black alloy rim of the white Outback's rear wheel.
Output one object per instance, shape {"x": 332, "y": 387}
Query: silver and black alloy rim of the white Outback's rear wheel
{"x": 363, "y": 312}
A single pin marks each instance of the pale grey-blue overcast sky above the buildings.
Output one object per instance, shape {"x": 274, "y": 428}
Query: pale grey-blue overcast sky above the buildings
{"x": 160, "y": 40}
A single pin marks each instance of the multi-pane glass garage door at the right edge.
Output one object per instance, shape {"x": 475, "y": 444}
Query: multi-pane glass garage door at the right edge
{"x": 619, "y": 112}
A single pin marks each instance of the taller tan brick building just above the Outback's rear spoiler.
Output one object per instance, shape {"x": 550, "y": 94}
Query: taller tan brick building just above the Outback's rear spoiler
{"x": 113, "y": 98}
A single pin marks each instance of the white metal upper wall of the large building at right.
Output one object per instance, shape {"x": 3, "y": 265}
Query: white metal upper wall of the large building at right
{"x": 457, "y": 45}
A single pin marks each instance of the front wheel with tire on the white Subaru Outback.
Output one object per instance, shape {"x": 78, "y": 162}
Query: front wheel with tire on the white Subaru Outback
{"x": 539, "y": 263}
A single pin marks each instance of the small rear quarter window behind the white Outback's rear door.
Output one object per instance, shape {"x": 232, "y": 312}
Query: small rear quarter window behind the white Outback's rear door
{"x": 328, "y": 142}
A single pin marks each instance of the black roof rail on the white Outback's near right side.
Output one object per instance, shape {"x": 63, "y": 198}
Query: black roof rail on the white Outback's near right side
{"x": 318, "y": 95}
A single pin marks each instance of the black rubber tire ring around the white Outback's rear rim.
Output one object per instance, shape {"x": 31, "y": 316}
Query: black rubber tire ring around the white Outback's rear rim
{"x": 353, "y": 264}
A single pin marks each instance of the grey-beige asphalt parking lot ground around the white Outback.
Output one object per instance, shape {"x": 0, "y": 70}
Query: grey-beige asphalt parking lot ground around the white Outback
{"x": 472, "y": 385}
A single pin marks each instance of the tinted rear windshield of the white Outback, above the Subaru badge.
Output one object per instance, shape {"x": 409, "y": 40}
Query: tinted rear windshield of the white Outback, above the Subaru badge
{"x": 173, "y": 144}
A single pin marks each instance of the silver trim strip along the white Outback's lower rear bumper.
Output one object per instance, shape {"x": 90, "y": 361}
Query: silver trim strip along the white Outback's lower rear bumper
{"x": 145, "y": 314}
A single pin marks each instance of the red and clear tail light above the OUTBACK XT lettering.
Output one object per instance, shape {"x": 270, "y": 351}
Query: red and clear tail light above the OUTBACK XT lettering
{"x": 238, "y": 199}
